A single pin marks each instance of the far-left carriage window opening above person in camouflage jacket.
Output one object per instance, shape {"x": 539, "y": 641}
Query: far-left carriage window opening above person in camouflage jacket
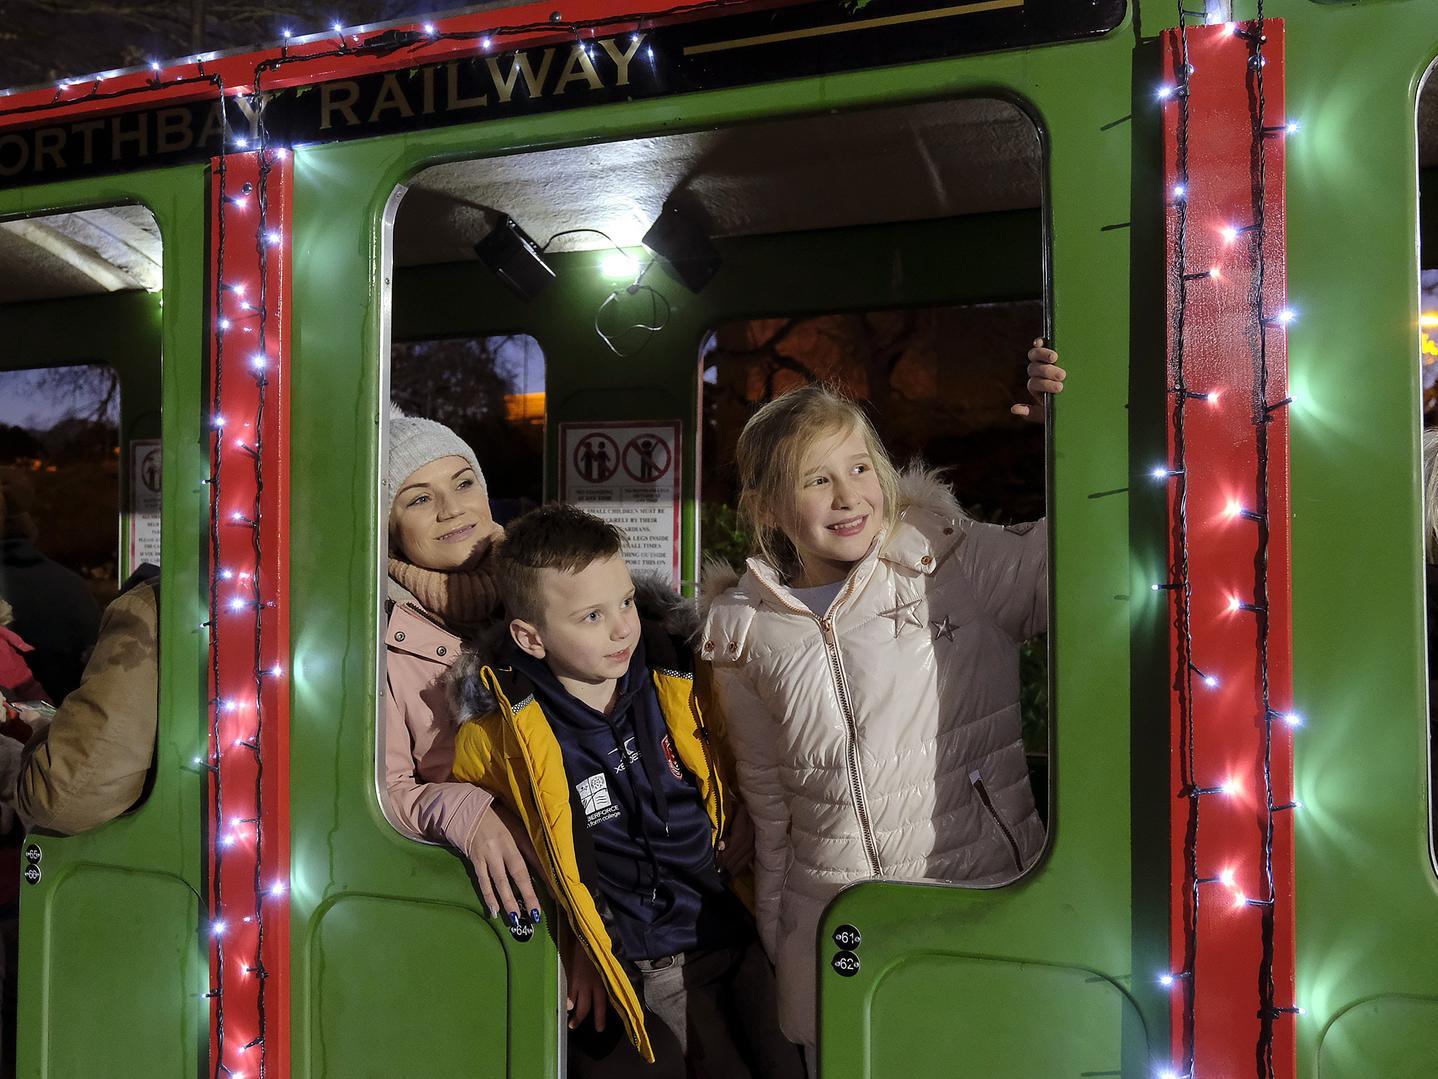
{"x": 80, "y": 427}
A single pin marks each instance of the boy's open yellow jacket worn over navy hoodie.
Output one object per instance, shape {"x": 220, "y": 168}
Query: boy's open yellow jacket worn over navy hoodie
{"x": 507, "y": 745}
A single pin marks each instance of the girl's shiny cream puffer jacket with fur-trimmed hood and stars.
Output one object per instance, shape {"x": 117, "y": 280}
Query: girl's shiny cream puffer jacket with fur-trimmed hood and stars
{"x": 882, "y": 740}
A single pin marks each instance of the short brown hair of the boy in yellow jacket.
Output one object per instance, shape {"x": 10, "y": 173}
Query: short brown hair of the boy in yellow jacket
{"x": 553, "y": 537}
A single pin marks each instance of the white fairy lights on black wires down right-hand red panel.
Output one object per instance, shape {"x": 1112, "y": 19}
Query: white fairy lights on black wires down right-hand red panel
{"x": 1196, "y": 788}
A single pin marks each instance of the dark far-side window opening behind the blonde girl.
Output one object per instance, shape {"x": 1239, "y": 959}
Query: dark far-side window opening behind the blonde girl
{"x": 930, "y": 399}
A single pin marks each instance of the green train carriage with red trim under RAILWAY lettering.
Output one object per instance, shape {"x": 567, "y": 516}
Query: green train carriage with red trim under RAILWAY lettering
{"x": 797, "y": 133}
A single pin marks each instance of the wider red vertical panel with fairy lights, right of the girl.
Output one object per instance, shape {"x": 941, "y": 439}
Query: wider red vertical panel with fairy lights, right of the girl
{"x": 1224, "y": 168}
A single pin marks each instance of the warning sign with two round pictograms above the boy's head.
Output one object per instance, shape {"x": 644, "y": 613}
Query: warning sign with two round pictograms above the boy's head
{"x": 628, "y": 473}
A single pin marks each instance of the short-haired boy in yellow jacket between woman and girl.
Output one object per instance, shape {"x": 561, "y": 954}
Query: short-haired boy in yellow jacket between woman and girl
{"x": 587, "y": 726}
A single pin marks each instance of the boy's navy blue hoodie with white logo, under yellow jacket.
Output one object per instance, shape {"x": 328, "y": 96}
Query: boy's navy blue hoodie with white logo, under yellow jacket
{"x": 659, "y": 888}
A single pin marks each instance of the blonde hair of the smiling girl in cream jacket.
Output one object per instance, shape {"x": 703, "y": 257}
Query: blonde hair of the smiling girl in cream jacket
{"x": 771, "y": 457}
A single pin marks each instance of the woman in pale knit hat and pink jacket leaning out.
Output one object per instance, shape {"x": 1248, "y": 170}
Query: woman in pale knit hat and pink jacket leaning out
{"x": 441, "y": 591}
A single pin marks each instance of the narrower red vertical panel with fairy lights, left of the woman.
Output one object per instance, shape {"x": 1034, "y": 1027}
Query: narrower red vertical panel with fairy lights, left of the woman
{"x": 248, "y": 816}
